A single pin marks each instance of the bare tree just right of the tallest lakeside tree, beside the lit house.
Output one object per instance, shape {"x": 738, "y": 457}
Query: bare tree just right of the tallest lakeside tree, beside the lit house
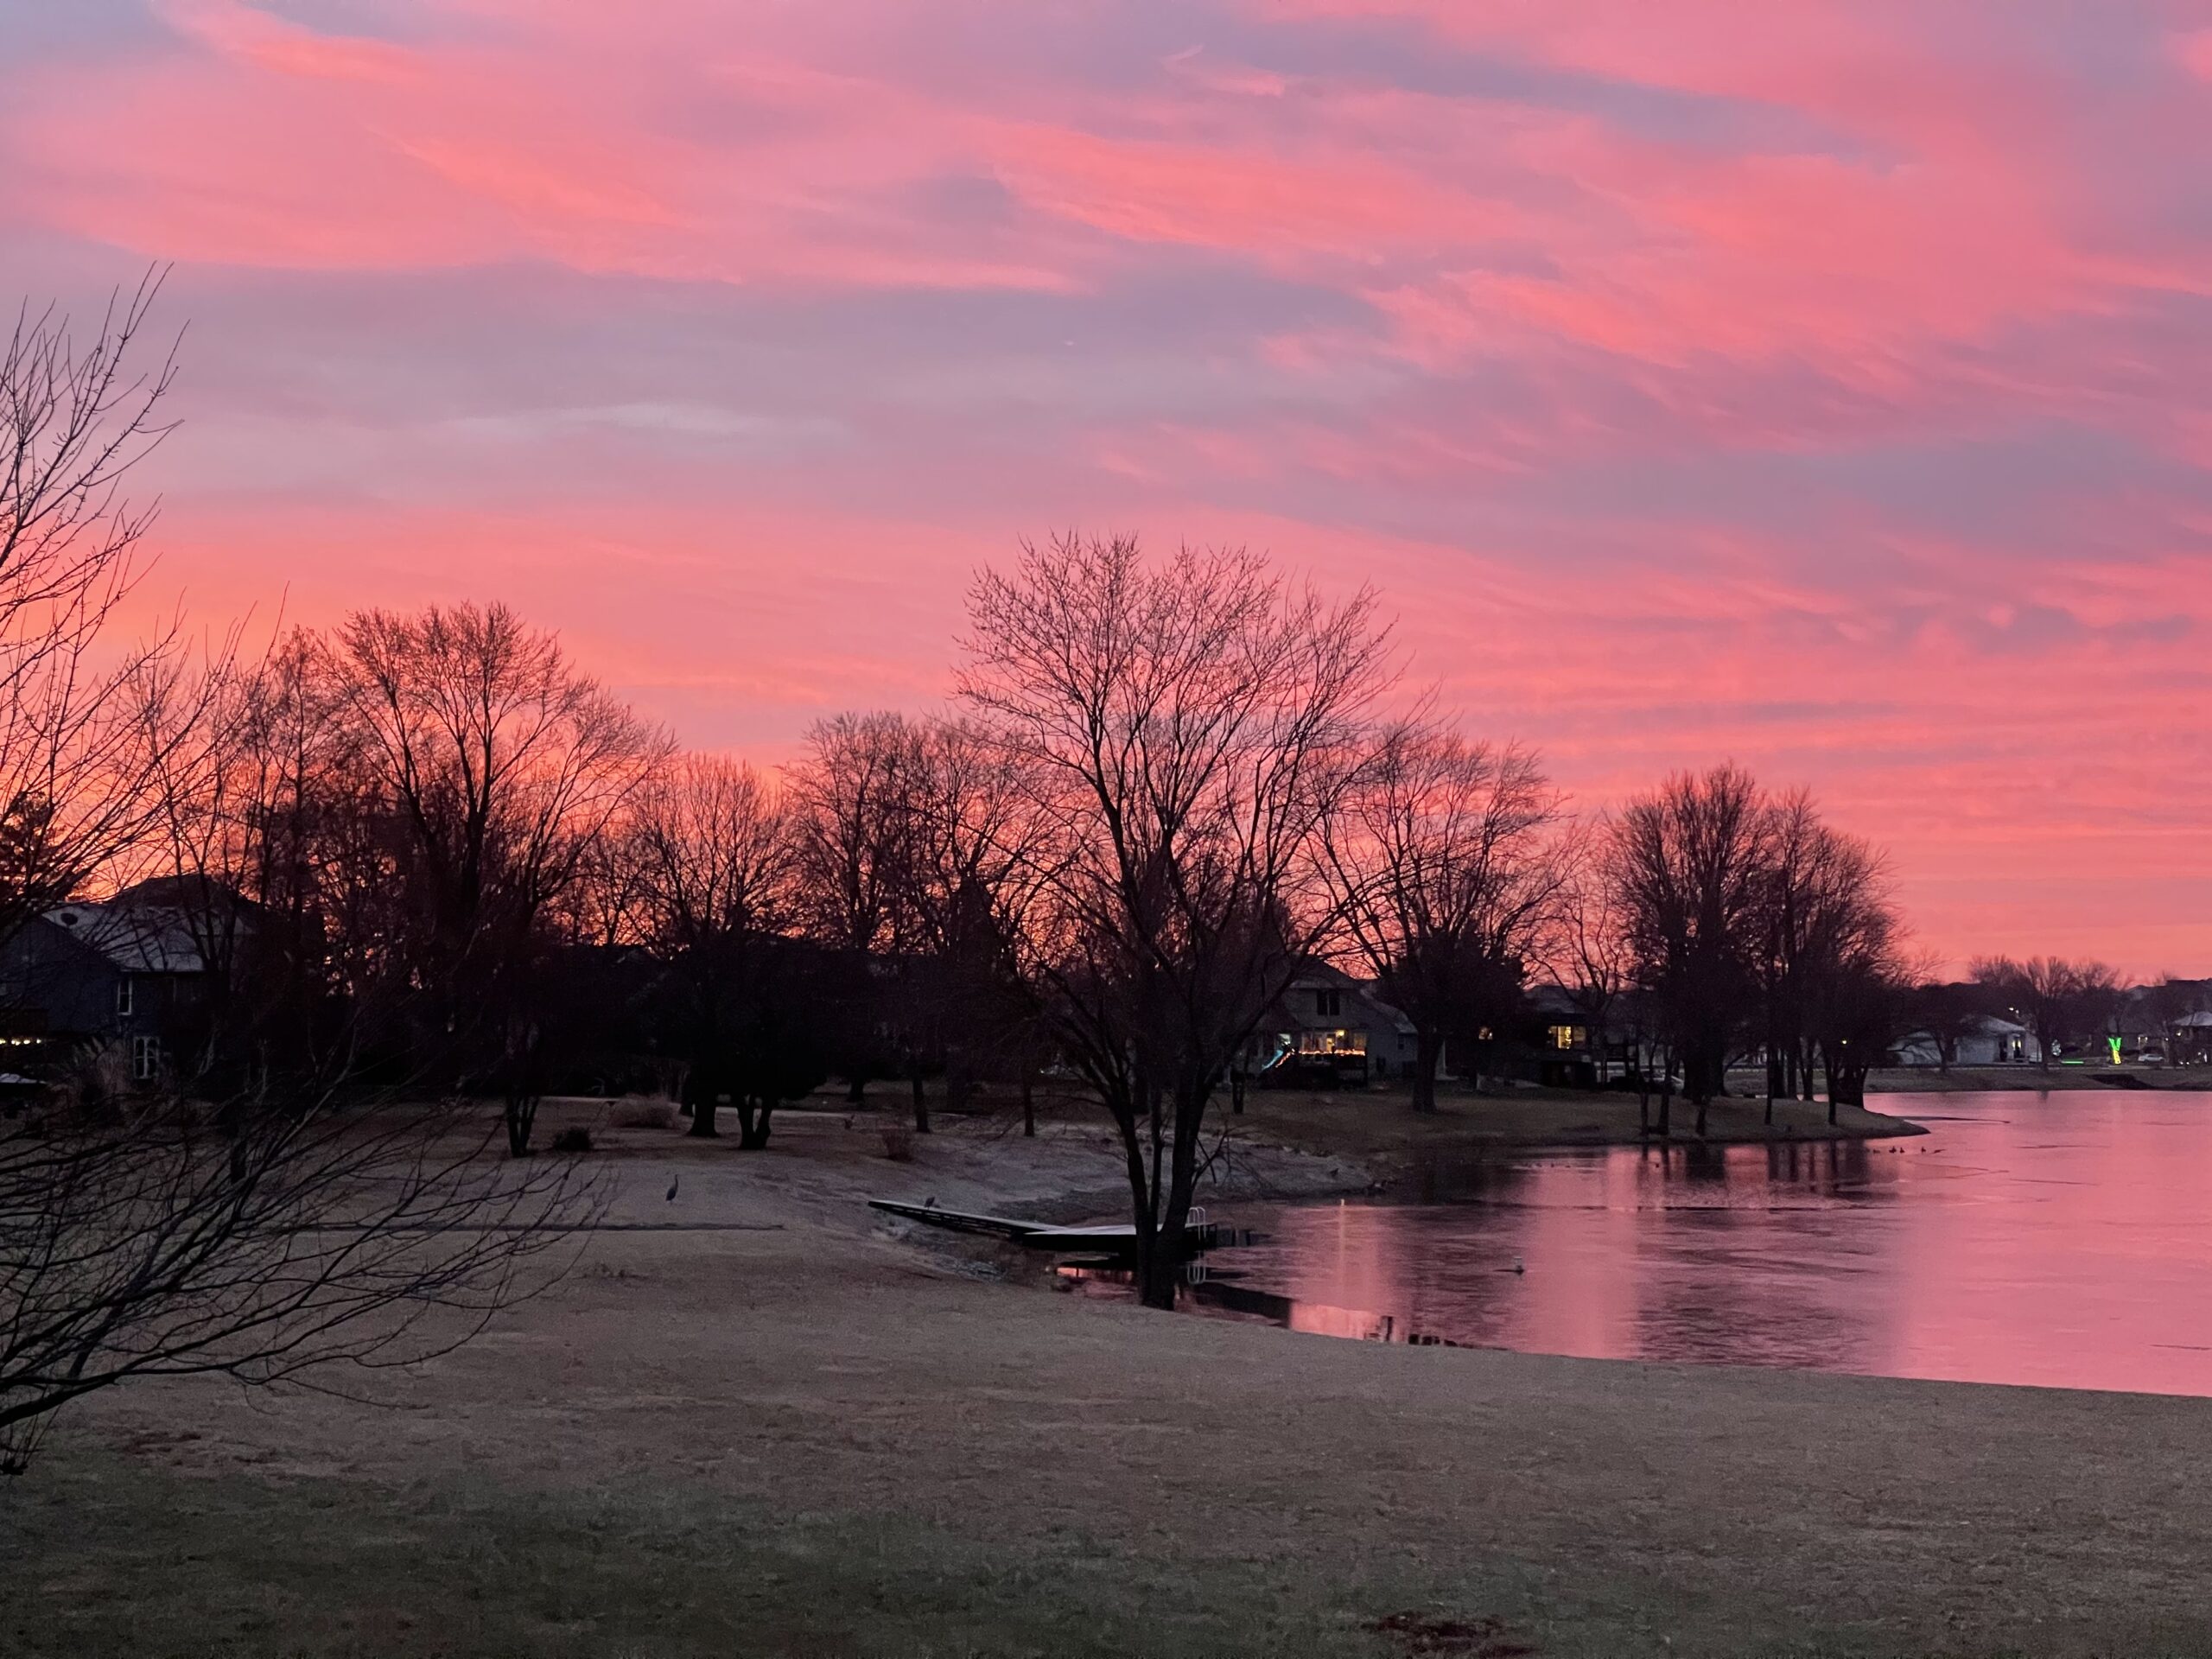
{"x": 1446, "y": 875}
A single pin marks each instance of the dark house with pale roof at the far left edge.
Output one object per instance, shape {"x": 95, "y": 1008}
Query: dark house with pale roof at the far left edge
{"x": 125, "y": 974}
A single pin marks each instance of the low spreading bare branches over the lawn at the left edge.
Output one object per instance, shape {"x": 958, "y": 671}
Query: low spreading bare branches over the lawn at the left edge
{"x": 134, "y": 1242}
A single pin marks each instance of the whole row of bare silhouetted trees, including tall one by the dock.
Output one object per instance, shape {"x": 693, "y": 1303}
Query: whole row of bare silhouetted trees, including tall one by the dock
{"x": 432, "y": 848}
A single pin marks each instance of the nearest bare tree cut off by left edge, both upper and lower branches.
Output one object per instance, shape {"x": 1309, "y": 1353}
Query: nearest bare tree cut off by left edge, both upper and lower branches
{"x": 140, "y": 1233}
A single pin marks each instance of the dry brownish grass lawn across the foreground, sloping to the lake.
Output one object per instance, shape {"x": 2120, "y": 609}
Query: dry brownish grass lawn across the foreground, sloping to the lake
{"x": 755, "y": 1421}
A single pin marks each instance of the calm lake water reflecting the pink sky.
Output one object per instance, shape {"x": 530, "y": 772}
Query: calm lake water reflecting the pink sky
{"x": 2060, "y": 1240}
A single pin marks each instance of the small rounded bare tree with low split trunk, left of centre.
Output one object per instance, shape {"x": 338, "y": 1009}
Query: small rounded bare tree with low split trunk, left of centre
{"x": 718, "y": 877}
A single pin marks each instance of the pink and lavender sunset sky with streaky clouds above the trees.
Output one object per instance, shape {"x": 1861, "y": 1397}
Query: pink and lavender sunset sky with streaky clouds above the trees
{"x": 1822, "y": 384}
